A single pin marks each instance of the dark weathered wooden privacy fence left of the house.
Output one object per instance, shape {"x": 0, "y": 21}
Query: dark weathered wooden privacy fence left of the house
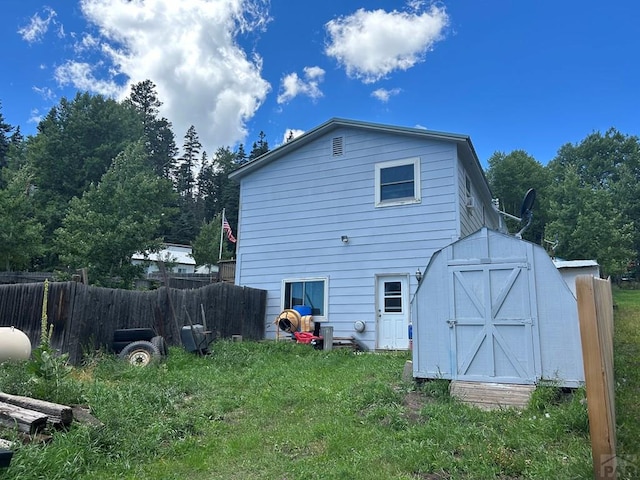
{"x": 85, "y": 317}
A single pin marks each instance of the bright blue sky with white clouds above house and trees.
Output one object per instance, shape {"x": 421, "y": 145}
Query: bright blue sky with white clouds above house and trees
{"x": 511, "y": 74}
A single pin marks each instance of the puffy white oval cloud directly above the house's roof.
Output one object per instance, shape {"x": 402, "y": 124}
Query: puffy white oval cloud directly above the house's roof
{"x": 370, "y": 44}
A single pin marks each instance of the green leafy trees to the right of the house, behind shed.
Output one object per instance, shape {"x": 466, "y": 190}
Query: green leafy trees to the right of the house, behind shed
{"x": 588, "y": 199}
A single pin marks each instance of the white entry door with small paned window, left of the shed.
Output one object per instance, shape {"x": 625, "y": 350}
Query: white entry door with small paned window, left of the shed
{"x": 393, "y": 312}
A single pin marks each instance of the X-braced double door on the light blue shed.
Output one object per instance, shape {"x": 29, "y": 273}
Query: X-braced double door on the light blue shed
{"x": 493, "y": 323}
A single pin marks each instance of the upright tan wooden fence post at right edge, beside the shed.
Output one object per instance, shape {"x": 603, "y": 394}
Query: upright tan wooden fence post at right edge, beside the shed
{"x": 595, "y": 313}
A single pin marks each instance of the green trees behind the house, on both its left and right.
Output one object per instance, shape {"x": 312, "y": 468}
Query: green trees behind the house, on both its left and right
{"x": 102, "y": 180}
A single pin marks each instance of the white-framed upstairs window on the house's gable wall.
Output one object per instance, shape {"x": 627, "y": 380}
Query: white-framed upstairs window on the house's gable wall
{"x": 398, "y": 182}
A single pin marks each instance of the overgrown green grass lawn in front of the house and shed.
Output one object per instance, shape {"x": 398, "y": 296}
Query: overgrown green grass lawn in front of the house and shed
{"x": 285, "y": 411}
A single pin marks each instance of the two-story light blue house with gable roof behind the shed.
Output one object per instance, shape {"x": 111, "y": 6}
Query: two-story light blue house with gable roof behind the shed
{"x": 343, "y": 217}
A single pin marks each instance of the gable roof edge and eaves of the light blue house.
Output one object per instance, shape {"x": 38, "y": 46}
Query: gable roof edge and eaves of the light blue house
{"x": 334, "y": 123}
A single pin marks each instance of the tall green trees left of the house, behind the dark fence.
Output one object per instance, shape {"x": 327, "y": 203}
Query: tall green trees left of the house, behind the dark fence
{"x": 102, "y": 180}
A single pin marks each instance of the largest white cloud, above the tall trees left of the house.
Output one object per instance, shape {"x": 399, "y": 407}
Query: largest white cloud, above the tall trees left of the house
{"x": 188, "y": 49}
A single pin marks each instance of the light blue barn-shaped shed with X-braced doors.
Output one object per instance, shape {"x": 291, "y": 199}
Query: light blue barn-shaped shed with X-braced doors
{"x": 494, "y": 308}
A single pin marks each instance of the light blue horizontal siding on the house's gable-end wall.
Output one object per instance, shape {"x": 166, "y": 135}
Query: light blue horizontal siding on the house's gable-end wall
{"x": 294, "y": 212}
